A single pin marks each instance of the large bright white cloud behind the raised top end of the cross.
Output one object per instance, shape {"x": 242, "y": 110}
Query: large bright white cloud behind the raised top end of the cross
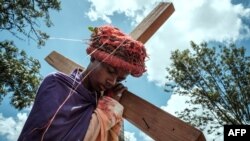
{"x": 197, "y": 20}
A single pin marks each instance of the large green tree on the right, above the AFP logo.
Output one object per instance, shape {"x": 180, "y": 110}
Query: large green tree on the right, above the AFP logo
{"x": 218, "y": 79}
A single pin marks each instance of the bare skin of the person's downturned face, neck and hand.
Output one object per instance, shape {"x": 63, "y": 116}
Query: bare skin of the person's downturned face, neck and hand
{"x": 102, "y": 77}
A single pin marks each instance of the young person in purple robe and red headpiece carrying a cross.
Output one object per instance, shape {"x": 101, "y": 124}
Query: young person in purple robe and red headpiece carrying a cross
{"x": 84, "y": 105}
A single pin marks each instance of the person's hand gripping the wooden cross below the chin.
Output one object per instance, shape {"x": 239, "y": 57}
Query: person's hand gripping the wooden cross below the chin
{"x": 116, "y": 91}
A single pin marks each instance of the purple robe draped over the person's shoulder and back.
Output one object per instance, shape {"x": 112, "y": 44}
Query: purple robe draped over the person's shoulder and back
{"x": 72, "y": 120}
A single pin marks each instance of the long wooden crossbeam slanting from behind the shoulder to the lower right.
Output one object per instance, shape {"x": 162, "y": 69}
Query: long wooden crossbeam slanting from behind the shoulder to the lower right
{"x": 152, "y": 120}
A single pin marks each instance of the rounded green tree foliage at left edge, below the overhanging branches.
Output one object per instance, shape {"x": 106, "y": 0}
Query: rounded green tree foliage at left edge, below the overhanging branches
{"x": 19, "y": 75}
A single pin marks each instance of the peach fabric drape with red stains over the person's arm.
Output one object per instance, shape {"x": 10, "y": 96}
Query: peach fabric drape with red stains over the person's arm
{"x": 106, "y": 121}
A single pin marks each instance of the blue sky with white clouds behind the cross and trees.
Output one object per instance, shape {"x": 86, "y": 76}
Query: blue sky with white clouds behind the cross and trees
{"x": 197, "y": 20}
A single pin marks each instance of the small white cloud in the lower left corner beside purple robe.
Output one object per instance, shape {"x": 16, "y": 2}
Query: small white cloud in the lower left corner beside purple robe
{"x": 11, "y": 127}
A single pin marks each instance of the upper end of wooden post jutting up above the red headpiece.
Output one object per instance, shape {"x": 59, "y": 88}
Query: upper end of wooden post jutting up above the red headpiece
{"x": 152, "y": 22}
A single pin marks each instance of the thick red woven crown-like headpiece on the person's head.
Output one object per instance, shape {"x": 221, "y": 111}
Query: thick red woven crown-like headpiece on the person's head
{"x": 108, "y": 44}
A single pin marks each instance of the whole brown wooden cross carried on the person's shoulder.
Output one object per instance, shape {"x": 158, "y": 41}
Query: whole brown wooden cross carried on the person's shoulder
{"x": 152, "y": 120}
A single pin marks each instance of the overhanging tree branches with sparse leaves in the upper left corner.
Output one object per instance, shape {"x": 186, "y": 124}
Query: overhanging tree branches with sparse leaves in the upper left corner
{"x": 24, "y": 16}
